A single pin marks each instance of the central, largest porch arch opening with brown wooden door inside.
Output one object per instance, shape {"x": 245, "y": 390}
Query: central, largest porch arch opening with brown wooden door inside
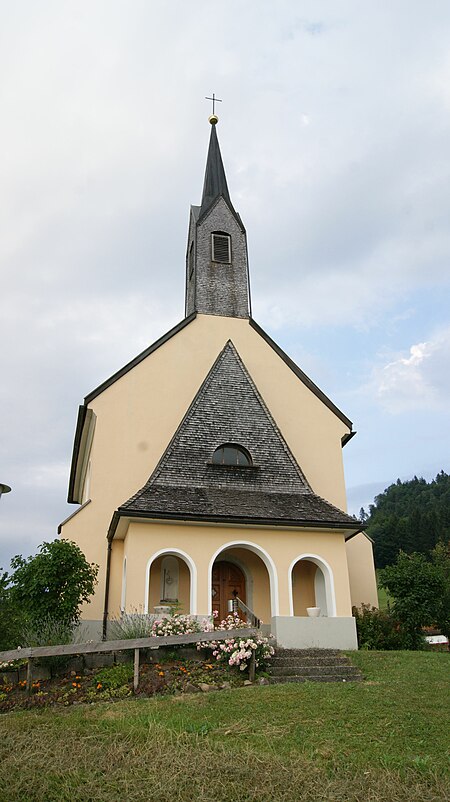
{"x": 241, "y": 568}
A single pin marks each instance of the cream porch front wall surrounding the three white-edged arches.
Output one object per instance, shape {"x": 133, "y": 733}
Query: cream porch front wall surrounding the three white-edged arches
{"x": 278, "y": 549}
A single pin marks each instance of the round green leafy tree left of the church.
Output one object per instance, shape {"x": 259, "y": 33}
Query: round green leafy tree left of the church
{"x": 54, "y": 583}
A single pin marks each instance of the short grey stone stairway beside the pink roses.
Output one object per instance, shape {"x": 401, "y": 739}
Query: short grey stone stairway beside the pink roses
{"x": 312, "y": 665}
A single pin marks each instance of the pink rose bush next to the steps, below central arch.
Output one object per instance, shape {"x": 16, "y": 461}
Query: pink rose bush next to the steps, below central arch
{"x": 238, "y": 651}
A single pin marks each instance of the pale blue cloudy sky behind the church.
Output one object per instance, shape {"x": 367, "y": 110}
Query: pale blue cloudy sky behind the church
{"x": 334, "y": 130}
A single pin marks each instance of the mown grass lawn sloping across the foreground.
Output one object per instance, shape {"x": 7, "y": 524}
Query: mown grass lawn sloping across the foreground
{"x": 384, "y": 739}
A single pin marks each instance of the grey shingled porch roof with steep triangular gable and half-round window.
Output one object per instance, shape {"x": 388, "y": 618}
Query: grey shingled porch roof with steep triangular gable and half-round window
{"x": 186, "y": 485}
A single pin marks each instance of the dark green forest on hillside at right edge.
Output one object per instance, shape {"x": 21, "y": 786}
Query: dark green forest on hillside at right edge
{"x": 410, "y": 516}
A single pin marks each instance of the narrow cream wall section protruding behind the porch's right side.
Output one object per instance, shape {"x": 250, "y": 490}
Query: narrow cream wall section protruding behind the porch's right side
{"x": 363, "y": 582}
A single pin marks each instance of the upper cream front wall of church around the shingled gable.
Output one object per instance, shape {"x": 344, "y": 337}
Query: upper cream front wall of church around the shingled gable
{"x": 139, "y": 413}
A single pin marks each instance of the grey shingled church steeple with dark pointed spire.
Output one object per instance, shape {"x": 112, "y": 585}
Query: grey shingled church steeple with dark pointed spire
{"x": 216, "y": 257}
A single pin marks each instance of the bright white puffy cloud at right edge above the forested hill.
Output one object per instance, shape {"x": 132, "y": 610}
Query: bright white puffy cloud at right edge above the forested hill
{"x": 417, "y": 380}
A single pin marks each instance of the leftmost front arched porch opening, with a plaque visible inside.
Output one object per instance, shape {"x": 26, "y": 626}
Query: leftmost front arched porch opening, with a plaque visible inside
{"x": 169, "y": 582}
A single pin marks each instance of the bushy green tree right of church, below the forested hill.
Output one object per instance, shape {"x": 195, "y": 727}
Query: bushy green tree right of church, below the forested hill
{"x": 419, "y": 590}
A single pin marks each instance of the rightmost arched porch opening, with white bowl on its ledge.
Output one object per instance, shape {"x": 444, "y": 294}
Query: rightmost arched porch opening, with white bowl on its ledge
{"x": 311, "y": 586}
